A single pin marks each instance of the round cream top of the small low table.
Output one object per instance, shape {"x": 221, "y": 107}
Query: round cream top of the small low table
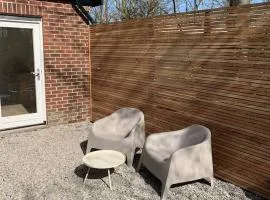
{"x": 104, "y": 159}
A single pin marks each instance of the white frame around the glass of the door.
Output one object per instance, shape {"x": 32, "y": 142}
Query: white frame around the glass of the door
{"x": 40, "y": 116}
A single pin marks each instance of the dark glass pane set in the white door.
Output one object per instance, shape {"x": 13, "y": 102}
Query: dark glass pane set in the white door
{"x": 17, "y": 80}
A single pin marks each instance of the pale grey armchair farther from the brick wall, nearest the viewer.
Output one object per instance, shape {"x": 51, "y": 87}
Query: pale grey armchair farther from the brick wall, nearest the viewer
{"x": 179, "y": 156}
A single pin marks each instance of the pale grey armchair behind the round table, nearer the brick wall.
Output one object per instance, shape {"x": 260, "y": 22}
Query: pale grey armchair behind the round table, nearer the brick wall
{"x": 123, "y": 130}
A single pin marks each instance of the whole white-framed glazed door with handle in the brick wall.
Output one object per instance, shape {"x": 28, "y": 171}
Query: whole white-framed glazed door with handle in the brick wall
{"x": 22, "y": 101}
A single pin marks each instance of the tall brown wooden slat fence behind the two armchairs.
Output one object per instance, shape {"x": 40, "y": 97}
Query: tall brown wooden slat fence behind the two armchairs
{"x": 209, "y": 67}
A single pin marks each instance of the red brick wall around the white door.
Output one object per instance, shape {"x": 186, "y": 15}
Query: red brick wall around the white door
{"x": 66, "y": 57}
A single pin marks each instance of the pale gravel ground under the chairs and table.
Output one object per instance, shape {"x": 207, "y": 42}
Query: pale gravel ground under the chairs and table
{"x": 46, "y": 164}
